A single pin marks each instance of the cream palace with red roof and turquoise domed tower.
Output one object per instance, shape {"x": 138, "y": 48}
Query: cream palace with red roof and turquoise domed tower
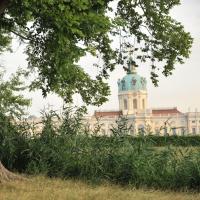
{"x": 133, "y": 105}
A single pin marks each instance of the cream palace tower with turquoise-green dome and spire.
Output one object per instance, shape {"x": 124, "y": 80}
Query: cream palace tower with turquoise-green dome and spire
{"x": 132, "y": 91}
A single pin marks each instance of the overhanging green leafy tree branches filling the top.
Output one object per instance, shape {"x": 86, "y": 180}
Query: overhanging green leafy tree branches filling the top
{"x": 58, "y": 33}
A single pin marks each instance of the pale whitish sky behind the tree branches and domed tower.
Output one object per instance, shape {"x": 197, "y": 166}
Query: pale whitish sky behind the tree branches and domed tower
{"x": 182, "y": 89}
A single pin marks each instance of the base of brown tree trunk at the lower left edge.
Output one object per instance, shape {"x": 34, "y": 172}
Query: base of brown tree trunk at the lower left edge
{"x": 6, "y": 175}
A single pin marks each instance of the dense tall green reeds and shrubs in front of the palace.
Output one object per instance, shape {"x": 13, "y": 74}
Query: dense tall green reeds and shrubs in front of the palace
{"x": 68, "y": 151}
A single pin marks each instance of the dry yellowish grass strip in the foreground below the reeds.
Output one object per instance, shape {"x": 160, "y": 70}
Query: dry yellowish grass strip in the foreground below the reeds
{"x": 51, "y": 189}
